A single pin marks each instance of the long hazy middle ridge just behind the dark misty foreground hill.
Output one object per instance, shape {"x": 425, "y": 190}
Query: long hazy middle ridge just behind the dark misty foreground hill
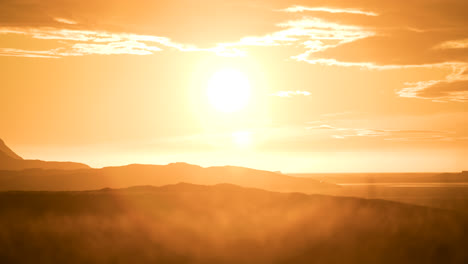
{"x": 131, "y": 175}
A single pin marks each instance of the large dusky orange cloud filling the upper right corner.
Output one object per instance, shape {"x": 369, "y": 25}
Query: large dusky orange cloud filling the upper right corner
{"x": 400, "y": 37}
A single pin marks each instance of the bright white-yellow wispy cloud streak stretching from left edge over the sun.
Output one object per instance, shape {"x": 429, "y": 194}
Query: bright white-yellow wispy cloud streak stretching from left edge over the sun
{"x": 312, "y": 34}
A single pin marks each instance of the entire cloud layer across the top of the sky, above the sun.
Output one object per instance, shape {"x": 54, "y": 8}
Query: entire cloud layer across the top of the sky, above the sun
{"x": 370, "y": 35}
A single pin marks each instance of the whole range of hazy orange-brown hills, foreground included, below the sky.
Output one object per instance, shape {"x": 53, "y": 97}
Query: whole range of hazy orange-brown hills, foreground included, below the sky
{"x": 66, "y": 212}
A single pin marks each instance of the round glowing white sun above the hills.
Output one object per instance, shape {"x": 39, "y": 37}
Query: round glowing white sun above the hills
{"x": 228, "y": 90}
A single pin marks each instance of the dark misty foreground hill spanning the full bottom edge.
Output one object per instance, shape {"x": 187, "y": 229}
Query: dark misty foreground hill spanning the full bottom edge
{"x": 187, "y": 223}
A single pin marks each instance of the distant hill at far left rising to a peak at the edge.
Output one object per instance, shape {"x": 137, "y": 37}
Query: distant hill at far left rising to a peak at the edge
{"x": 9, "y": 160}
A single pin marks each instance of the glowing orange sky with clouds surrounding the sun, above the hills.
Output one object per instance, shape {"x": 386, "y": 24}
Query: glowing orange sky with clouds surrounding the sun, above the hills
{"x": 335, "y": 85}
